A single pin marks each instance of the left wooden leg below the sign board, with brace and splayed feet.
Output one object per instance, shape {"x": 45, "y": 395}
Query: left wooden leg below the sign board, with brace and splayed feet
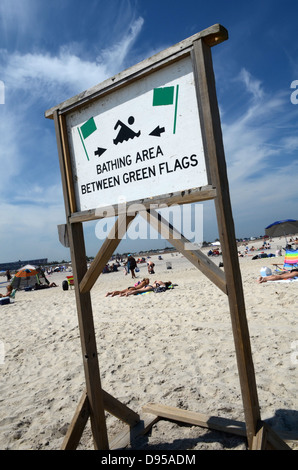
{"x": 95, "y": 401}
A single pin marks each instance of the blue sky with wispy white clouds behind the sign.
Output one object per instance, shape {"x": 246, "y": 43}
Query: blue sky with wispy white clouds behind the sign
{"x": 50, "y": 51}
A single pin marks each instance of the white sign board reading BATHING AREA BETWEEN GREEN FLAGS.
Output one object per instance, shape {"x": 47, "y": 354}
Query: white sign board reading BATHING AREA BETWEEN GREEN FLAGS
{"x": 140, "y": 141}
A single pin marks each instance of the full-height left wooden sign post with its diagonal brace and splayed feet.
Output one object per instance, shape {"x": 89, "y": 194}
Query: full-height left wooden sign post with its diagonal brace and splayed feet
{"x": 94, "y": 401}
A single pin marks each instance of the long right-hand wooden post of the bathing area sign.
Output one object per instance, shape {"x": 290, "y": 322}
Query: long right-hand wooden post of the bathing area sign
{"x": 210, "y": 123}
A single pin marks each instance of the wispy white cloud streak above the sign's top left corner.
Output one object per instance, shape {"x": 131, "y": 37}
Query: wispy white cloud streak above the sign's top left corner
{"x": 43, "y": 74}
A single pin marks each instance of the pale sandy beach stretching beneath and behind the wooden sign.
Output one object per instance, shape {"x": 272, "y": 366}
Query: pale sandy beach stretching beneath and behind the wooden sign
{"x": 174, "y": 348}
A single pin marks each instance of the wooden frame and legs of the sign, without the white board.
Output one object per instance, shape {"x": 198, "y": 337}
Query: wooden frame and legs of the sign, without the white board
{"x": 95, "y": 401}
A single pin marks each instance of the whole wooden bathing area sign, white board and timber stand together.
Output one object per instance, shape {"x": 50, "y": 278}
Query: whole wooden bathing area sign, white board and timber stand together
{"x": 152, "y": 133}
